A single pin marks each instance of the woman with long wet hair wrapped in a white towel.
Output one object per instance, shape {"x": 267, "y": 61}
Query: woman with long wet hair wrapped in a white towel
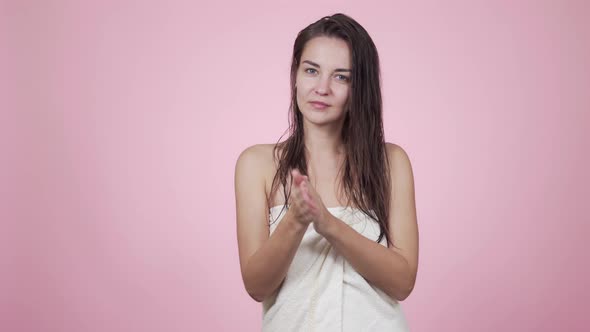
{"x": 326, "y": 220}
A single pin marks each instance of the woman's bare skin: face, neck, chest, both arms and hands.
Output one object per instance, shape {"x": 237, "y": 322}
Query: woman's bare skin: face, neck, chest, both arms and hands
{"x": 265, "y": 258}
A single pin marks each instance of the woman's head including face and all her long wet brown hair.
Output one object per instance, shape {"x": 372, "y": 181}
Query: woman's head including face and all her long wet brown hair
{"x": 335, "y": 61}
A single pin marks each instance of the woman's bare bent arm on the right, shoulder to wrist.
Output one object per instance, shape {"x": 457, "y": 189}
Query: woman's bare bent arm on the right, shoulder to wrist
{"x": 391, "y": 269}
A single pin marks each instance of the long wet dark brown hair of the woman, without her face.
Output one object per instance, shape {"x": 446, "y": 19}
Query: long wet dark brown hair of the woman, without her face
{"x": 365, "y": 171}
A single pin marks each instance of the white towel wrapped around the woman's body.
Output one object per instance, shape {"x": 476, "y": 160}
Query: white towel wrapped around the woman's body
{"x": 323, "y": 292}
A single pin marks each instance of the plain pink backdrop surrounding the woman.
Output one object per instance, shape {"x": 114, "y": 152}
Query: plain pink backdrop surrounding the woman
{"x": 122, "y": 120}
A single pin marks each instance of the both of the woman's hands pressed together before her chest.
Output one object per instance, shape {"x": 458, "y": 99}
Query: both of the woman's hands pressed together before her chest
{"x": 307, "y": 205}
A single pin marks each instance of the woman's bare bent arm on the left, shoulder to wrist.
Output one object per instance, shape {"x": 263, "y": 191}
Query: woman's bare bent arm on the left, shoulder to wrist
{"x": 264, "y": 260}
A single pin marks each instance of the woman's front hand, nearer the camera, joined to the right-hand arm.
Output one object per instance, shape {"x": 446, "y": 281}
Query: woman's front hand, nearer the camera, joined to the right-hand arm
{"x": 313, "y": 205}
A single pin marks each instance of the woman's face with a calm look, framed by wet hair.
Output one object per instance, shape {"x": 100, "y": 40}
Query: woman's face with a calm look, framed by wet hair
{"x": 323, "y": 80}
